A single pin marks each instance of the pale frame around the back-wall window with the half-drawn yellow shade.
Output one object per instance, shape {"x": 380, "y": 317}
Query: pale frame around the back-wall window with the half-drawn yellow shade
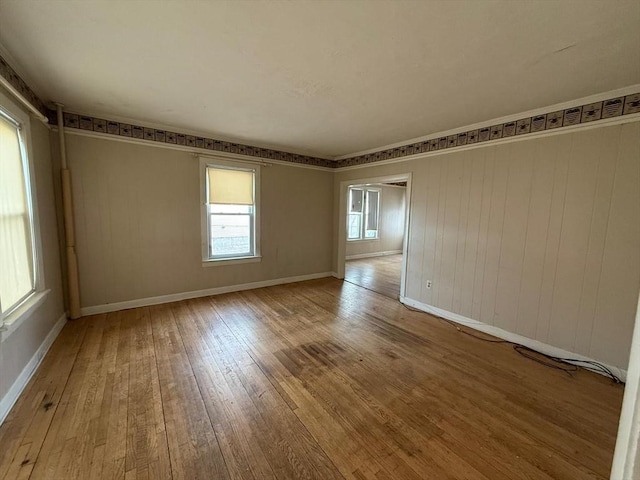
{"x": 217, "y": 162}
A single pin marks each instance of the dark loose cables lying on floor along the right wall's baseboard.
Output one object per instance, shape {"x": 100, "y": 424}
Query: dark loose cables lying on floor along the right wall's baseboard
{"x": 567, "y": 365}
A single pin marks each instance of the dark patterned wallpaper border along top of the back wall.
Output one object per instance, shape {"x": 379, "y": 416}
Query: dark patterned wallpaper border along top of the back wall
{"x": 120, "y": 129}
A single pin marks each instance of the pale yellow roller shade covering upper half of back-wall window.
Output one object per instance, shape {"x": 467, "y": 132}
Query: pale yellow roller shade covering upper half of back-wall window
{"x": 230, "y": 187}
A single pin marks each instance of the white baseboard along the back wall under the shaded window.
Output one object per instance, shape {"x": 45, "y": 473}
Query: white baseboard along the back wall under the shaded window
{"x": 175, "y": 297}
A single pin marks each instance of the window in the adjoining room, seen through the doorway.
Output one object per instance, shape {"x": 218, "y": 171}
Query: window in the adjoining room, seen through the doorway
{"x": 364, "y": 209}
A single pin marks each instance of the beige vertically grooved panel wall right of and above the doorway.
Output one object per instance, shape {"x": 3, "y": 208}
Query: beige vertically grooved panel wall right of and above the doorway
{"x": 538, "y": 237}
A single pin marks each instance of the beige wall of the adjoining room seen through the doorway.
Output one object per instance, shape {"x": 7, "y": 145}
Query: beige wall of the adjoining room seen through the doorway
{"x": 391, "y": 222}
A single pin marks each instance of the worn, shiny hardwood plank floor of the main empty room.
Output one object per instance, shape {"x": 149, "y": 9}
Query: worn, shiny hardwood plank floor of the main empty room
{"x": 316, "y": 380}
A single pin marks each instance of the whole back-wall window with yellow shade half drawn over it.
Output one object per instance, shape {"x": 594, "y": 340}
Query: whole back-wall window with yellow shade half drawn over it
{"x": 231, "y": 212}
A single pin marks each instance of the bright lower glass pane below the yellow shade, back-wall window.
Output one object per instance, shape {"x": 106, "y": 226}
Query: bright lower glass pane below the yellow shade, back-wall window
{"x": 230, "y": 235}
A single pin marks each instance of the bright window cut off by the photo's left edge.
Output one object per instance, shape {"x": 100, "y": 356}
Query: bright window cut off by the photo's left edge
{"x": 18, "y": 277}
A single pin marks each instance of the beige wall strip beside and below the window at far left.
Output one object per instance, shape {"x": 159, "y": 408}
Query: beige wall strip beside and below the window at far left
{"x": 18, "y": 348}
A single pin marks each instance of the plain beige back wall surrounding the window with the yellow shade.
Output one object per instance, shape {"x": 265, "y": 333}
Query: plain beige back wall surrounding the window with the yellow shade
{"x": 137, "y": 212}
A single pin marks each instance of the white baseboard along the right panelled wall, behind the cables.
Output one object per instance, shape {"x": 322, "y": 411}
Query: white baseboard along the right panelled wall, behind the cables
{"x": 505, "y": 335}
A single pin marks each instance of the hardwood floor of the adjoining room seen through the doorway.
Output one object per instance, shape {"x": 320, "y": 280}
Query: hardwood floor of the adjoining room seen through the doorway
{"x": 380, "y": 274}
